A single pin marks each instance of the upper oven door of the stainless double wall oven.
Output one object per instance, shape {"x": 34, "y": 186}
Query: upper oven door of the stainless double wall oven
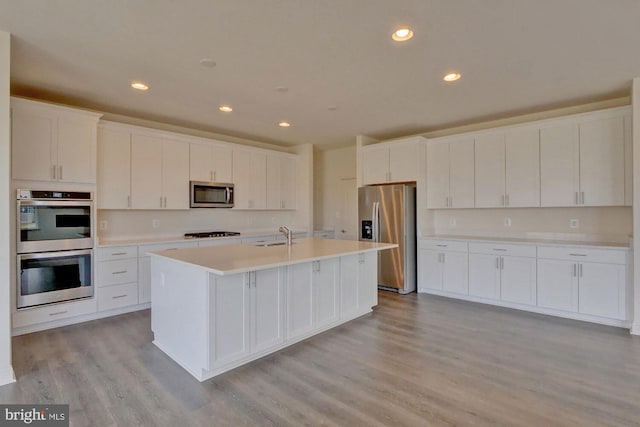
{"x": 53, "y": 225}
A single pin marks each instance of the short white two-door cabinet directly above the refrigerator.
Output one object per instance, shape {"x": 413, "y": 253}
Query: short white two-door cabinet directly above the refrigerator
{"x": 393, "y": 161}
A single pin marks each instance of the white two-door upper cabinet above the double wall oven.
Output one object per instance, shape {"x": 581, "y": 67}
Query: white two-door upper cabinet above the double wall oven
{"x": 52, "y": 143}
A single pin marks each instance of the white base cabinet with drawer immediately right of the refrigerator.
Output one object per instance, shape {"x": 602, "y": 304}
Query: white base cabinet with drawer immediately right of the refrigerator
{"x": 443, "y": 265}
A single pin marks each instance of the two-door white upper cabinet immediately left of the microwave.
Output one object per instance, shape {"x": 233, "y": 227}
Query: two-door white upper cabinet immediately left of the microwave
{"x": 159, "y": 173}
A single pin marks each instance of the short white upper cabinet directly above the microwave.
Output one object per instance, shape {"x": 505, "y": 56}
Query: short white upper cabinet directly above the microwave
{"x": 210, "y": 162}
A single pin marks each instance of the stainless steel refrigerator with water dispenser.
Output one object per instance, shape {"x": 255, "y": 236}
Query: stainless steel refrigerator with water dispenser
{"x": 387, "y": 213}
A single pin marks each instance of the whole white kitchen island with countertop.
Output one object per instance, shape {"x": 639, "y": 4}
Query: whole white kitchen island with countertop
{"x": 216, "y": 308}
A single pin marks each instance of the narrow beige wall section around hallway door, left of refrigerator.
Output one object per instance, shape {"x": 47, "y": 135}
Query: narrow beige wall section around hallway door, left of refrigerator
{"x": 331, "y": 166}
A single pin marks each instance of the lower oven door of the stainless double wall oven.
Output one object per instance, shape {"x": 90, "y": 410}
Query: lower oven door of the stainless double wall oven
{"x": 50, "y": 277}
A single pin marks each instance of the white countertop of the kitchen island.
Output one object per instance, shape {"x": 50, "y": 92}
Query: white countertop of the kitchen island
{"x": 240, "y": 258}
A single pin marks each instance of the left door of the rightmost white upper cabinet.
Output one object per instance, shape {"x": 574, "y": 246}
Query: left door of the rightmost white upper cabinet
{"x": 559, "y": 165}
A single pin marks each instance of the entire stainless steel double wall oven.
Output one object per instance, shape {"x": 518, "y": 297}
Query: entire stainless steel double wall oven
{"x": 54, "y": 246}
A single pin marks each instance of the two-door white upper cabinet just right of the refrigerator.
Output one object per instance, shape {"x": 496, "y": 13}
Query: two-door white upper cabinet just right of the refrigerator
{"x": 450, "y": 174}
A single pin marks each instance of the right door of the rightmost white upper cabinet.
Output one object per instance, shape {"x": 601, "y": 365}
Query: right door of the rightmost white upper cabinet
{"x": 602, "y": 162}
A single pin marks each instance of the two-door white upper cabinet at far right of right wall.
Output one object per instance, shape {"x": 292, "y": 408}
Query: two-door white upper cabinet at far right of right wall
{"x": 582, "y": 162}
